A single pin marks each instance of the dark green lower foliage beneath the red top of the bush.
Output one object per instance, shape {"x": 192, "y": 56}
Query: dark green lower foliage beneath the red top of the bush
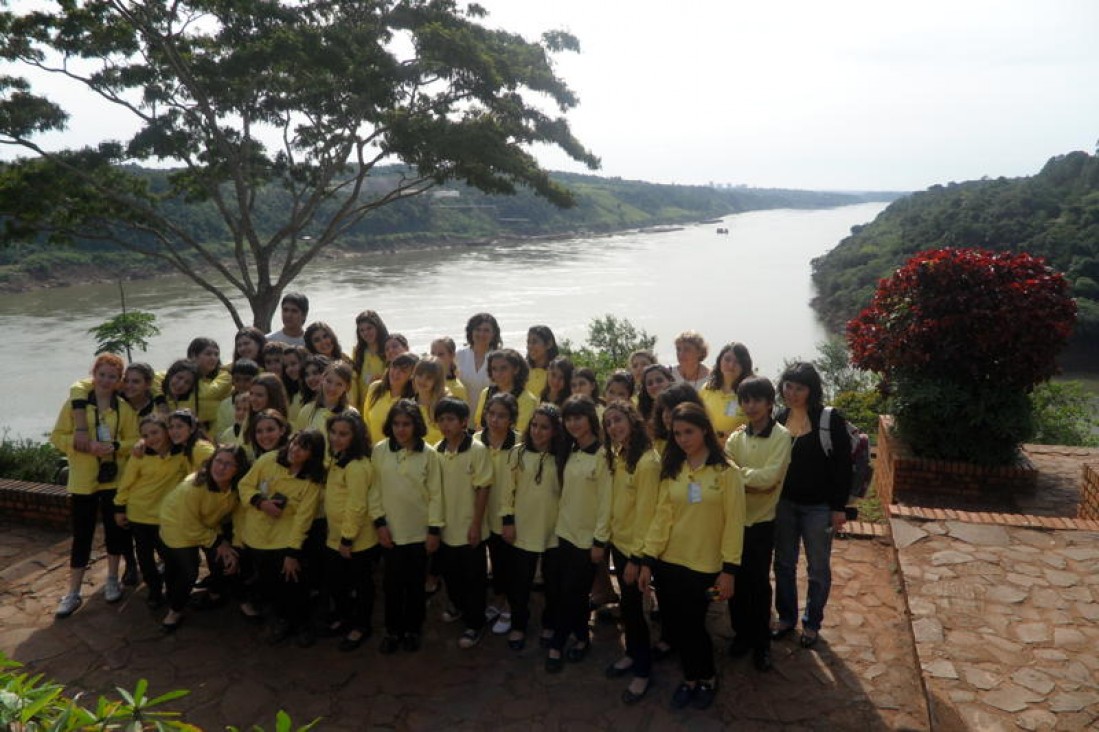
{"x": 976, "y": 423}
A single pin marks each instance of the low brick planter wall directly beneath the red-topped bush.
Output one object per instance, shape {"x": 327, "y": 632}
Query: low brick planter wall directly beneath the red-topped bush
{"x": 901, "y": 478}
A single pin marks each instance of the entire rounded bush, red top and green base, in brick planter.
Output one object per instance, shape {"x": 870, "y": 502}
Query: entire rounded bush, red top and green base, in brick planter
{"x": 961, "y": 336}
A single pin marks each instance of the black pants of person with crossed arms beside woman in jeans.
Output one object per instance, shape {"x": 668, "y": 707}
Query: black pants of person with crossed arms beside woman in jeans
{"x": 750, "y": 607}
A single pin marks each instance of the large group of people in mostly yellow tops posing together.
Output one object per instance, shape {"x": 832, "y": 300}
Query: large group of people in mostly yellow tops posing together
{"x": 327, "y": 463}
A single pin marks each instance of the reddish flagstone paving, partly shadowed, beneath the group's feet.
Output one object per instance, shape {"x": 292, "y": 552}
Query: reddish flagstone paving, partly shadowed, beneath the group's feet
{"x": 861, "y": 676}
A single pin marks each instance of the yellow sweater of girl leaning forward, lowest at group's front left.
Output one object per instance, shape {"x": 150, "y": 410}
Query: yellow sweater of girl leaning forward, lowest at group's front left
{"x": 192, "y": 516}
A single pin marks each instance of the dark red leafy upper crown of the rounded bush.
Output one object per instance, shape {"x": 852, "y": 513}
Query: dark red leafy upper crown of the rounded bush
{"x": 967, "y": 315}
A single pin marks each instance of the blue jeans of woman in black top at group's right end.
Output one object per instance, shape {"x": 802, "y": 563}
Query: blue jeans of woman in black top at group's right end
{"x": 809, "y": 525}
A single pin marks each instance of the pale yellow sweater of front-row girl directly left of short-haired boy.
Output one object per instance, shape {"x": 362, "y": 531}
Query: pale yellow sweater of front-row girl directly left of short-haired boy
{"x": 407, "y": 492}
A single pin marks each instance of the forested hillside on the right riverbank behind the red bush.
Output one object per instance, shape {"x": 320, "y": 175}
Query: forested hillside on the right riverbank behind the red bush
{"x": 1054, "y": 214}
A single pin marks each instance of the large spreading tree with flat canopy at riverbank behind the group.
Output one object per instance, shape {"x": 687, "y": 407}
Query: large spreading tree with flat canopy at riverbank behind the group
{"x": 245, "y": 96}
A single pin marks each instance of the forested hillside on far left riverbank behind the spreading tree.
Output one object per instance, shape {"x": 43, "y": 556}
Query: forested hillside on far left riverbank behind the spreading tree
{"x": 450, "y": 215}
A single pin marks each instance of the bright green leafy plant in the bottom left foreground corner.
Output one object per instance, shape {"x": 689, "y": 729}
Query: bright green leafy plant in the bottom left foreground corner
{"x": 30, "y": 704}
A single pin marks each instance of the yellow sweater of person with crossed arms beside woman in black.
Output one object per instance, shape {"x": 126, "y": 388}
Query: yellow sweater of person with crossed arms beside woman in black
{"x": 762, "y": 460}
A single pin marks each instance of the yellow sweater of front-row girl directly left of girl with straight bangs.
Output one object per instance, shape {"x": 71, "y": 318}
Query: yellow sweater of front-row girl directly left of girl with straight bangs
{"x": 529, "y": 498}
